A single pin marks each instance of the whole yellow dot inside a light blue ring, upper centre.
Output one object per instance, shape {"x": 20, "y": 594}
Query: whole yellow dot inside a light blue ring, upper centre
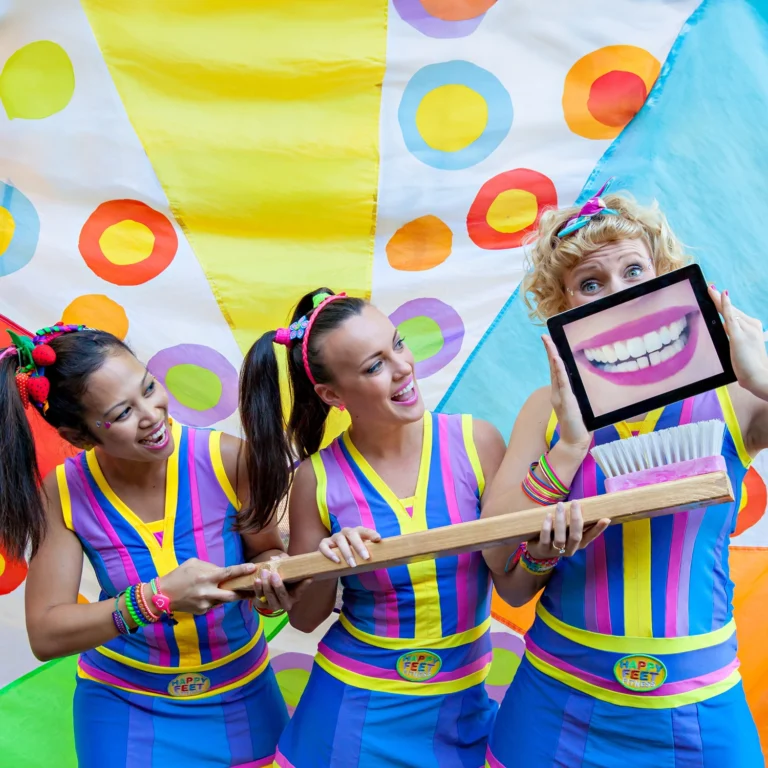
{"x": 451, "y": 117}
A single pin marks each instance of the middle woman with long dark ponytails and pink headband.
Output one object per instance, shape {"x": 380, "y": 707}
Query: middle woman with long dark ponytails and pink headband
{"x": 398, "y": 680}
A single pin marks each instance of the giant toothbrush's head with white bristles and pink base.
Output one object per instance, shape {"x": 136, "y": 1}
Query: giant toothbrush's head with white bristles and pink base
{"x": 689, "y": 450}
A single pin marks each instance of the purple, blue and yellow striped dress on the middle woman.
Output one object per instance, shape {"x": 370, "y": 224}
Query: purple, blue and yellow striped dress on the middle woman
{"x": 398, "y": 679}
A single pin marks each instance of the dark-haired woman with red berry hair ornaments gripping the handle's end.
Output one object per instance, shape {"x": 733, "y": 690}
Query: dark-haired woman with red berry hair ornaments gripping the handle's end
{"x": 173, "y": 670}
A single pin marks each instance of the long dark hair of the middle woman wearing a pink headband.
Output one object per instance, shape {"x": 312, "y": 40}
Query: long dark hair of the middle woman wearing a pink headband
{"x": 273, "y": 448}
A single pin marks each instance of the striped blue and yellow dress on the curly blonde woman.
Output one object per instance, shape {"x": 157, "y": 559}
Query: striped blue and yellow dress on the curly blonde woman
{"x": 632, "y": 661}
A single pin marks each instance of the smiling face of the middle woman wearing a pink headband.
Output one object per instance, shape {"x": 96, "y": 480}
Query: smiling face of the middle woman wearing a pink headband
{"x": 372, "y": 369}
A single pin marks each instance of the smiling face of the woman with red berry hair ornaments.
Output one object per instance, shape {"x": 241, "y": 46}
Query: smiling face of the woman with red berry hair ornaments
{"x": 124, "y": 394}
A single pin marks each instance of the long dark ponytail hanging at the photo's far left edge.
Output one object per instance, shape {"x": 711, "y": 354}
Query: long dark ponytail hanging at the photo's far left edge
{"x": 22, "y": 516}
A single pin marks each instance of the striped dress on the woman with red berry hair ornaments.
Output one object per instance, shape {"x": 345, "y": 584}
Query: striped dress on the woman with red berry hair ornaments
{"x": 202, "y": 692}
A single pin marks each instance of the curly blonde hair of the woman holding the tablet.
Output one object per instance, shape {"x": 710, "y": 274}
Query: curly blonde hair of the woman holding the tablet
{"x": 550, "y": 256}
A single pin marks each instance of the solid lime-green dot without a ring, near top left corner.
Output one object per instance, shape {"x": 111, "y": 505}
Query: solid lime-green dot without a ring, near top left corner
{"x": 37, "y": 81}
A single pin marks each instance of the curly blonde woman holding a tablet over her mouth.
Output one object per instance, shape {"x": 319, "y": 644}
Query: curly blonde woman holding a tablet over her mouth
{"x": 652, "y": 597}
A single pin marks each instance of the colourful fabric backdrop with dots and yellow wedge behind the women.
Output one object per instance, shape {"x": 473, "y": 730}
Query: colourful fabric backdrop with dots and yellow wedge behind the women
{"x": 179, "y": 173}
